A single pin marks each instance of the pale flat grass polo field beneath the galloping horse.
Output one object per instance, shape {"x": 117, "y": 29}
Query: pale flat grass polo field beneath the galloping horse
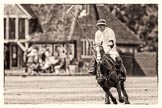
{"x": 74, "y": 90}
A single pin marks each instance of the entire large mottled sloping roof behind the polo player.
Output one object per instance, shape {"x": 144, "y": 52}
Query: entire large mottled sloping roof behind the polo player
{"x": 56, "y": 26}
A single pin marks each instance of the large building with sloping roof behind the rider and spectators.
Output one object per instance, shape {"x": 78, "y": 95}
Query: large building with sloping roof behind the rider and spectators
{"x": 39, "y": 24}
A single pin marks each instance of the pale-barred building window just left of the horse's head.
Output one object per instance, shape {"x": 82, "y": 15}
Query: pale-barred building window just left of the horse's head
{"x": 86, "y": 48}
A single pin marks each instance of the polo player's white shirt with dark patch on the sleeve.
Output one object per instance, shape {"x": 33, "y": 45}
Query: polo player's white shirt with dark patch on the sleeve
{"x": 104, "y": 38}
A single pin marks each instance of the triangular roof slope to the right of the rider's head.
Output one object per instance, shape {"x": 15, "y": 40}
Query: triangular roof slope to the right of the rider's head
{"x": 123, "y": 34}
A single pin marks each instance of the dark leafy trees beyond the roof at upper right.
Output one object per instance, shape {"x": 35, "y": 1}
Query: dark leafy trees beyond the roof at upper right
{"x": 142, "y": 19}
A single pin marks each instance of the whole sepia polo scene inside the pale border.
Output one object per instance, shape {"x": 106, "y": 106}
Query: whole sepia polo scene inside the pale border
{"x": 81, "y": 54}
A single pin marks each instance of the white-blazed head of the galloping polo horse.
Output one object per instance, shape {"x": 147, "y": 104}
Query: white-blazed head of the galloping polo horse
{"x": 99, "y": 52}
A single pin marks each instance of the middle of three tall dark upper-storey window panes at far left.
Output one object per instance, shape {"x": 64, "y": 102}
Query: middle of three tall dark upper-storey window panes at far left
{"x": 12, "y": 28}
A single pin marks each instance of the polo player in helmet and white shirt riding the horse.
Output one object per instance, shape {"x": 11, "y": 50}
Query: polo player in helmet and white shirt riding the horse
{"x": 105, "y": 36}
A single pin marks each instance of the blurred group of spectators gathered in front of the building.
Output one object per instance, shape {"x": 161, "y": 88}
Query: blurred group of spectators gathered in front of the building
{"x": 41, "y": 58}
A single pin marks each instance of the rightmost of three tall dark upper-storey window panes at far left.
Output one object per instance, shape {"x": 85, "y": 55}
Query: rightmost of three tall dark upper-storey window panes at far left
{"x": 21, "y": 28}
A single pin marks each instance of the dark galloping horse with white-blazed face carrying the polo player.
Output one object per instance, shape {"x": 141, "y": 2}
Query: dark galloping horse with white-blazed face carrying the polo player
{"x": 107, "y": 77}
